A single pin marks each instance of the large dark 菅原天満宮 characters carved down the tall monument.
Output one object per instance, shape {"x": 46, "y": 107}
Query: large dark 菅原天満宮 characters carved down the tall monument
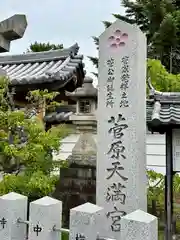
{"x": 116, "y": 154}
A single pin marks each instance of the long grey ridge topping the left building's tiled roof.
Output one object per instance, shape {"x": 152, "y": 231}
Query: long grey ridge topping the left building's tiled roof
{"x": 37, "y": 56}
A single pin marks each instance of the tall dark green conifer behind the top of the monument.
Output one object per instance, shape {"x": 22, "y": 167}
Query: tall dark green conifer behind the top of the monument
{"x": 160, "y": 21}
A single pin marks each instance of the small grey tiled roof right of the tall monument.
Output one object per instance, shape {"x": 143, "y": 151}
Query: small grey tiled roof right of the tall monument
{"x": 162, "y": 110}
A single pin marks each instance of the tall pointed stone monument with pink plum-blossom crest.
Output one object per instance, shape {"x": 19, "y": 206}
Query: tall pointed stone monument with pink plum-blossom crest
{"x": 121, "y": 124}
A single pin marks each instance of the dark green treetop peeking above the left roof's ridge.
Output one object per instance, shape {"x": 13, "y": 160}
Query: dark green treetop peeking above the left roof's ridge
{"x": 41, "y": 47}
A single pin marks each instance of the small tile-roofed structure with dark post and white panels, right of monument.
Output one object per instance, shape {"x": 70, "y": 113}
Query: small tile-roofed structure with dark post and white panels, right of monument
{"x": 163, "y": 116}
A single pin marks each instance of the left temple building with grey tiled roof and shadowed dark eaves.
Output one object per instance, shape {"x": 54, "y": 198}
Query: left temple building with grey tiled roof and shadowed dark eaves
{"x": 57, "y": 70}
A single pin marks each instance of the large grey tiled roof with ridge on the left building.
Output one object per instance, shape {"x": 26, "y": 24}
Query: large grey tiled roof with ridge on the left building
{"x": 43, "y": 67}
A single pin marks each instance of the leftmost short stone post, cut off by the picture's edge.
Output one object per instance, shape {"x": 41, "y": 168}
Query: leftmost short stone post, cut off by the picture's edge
{"x": 12, "y": 207}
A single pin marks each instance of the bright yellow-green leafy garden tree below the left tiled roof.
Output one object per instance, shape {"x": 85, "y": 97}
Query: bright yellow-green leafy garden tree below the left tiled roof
{"x": 25, "y": 147}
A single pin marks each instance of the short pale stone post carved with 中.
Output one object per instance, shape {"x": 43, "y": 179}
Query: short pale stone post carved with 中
{"x": 45, "y": 219}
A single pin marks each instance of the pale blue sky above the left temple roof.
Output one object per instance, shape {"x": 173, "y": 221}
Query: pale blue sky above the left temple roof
{"x": 62, "y": 21}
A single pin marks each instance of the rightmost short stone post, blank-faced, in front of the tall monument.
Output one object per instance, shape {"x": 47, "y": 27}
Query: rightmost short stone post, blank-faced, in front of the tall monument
{"x": 139, "y": 225}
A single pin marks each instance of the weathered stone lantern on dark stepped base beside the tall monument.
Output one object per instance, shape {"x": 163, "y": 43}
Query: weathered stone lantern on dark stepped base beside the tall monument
{"x": 77, "y": 183}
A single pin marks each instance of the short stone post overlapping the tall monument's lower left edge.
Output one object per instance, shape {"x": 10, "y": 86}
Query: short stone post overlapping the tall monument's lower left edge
{"x": 86, "y": 222}
